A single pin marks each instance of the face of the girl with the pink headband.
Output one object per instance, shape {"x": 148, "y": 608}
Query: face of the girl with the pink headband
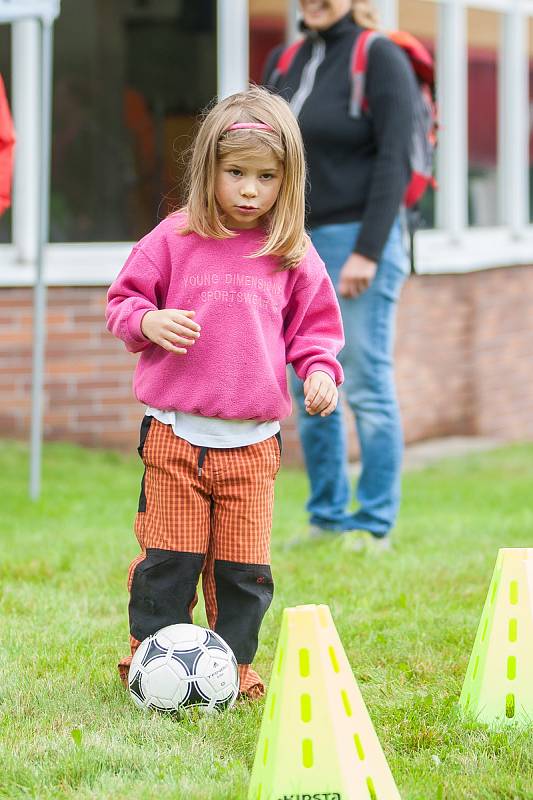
{"x": 246, "y": 188}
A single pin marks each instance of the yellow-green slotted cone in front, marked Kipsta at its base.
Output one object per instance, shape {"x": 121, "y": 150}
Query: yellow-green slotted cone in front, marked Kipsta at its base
{"x": 316, "y": 740}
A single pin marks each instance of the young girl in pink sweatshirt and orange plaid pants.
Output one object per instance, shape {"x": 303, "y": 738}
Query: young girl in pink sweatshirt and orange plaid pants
{"x": 218, "y": 298}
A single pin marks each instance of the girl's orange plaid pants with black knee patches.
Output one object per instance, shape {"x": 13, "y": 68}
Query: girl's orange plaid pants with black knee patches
{"x": 204, "y": 511}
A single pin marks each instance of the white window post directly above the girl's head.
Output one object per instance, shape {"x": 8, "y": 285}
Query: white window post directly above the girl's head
{"x": 232, "y": 46}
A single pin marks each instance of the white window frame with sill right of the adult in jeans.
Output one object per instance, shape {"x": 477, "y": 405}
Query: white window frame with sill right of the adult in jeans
{"x": 453, "y": 246}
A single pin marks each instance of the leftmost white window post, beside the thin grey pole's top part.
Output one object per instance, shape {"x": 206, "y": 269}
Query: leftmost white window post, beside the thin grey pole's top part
{"x": 26, "y": 90}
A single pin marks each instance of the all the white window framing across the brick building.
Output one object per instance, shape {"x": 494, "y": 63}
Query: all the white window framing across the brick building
{"x": 452, "y": 247}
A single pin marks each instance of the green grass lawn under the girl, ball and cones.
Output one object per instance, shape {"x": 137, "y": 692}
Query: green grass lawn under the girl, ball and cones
{"x": 407, "y": 622}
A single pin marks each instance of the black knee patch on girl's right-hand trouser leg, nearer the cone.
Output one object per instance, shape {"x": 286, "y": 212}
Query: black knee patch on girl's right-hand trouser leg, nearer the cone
{"x": 244, "y": 593}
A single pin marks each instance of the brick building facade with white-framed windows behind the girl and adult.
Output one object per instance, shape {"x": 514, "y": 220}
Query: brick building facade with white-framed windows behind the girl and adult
{"x": 126, "y": 98}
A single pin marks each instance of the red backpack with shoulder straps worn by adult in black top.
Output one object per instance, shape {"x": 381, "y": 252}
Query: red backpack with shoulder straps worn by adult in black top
{"x": 424, "y": 139}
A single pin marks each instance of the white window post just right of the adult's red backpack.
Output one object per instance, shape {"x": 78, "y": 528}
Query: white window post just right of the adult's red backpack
{"x": 452, "y": 153}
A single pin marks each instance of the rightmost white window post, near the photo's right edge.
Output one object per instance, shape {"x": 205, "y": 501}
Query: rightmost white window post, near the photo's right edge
{"x": 513, "y": 123}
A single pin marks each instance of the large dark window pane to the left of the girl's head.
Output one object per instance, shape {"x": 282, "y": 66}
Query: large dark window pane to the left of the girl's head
{"x": 126, "y": 95}
